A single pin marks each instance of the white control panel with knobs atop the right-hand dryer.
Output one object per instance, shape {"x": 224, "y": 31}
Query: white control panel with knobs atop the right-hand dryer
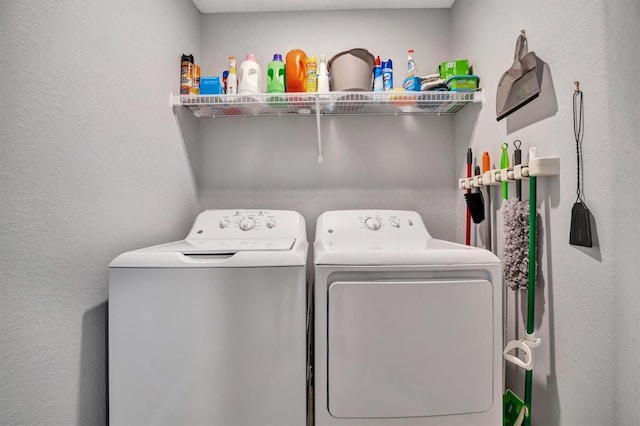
{"x": 371, "y": 229}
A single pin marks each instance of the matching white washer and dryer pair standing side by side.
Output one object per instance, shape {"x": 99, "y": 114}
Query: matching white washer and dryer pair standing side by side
{"x": 215, "y": 329}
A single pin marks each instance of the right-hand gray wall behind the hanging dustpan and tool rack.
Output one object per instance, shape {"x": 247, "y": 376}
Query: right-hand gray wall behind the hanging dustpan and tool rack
{"x": 587, "y": 369}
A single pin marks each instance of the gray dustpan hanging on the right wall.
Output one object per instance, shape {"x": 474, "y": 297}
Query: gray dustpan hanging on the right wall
{"x": 521, "y": 83}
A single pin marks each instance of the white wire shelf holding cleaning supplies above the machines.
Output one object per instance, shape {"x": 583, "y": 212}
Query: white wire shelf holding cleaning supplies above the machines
{"x": 329, "y": 104}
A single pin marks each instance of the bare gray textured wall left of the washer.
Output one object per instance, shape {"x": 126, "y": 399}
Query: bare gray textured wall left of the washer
{"x": 91, "y": 166}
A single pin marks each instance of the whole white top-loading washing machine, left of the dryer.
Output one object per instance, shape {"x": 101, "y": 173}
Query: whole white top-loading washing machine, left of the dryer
{"x": 212, "y": 329}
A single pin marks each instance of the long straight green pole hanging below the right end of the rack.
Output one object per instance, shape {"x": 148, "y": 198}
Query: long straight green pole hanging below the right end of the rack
{"x": 531, "y": 290}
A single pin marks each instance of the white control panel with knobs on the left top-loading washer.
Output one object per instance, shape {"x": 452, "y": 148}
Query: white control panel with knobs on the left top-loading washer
{"x": 222, "y": 224}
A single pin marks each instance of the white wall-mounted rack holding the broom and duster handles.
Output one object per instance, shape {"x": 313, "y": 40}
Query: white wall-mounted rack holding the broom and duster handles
{"x": 539, "y": 166}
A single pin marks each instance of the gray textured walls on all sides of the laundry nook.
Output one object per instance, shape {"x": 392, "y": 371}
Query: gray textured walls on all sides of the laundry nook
{"x": 93, "y": 164}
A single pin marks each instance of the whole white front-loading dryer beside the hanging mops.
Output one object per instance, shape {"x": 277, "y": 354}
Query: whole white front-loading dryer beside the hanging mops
{"x": 408, "y": 328}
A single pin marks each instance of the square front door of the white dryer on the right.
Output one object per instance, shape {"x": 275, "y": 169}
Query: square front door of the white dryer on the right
{"x": 410, "y": 348}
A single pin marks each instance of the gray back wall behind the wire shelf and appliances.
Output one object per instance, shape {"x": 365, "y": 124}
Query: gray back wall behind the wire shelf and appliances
{"x": 369, "y": 162}
